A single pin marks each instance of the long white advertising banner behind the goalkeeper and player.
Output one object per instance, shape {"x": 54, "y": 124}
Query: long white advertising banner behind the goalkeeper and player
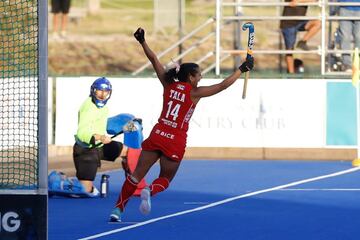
{"x": 276, "y": 113}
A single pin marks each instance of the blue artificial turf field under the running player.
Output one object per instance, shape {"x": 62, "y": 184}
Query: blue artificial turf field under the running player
{"x": 226, "y": 200}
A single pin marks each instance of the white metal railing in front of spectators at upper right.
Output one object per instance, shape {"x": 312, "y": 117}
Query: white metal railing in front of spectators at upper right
{"x": 325, "y": 16}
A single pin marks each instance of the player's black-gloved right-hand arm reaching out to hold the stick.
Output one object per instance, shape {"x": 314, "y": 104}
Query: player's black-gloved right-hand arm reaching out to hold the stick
{"x": 206, "y": 91}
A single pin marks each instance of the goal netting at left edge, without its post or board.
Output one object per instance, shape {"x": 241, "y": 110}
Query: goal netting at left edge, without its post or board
{"x": 19, "y": 96}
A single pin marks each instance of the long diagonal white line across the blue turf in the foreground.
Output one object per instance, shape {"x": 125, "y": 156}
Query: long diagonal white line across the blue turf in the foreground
{"x": 220, "y": 203}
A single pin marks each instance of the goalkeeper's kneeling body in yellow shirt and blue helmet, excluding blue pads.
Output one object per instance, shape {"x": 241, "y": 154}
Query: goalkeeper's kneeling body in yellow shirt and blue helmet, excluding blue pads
{"x": 91, "y": 142}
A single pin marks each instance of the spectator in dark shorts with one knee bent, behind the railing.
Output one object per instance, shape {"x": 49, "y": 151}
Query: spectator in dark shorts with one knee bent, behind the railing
{"x": 290, "y": 28}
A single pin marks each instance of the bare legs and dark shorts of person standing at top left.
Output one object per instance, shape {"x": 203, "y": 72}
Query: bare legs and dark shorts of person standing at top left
{"x": 60, "y": 7}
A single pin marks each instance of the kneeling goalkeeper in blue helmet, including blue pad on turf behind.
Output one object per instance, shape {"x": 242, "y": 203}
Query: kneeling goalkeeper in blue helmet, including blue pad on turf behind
{"x": 91, "y": 144}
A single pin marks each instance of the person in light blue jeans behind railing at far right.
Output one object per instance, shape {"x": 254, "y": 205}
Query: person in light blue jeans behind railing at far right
{"x": 349, "y": 30}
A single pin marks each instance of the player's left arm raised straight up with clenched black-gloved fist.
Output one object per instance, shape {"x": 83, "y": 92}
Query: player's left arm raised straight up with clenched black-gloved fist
{"x": 159, "y": 69}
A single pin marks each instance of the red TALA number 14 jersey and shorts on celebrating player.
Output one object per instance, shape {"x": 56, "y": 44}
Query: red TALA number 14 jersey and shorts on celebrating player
{"x": 169, "y": 134}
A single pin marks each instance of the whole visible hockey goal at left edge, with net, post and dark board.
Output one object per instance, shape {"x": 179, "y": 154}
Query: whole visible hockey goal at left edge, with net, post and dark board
{"x": 23, "y": 119}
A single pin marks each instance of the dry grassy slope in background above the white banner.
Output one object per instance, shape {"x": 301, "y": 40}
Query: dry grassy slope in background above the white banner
{"x": 102, "y": 43}
